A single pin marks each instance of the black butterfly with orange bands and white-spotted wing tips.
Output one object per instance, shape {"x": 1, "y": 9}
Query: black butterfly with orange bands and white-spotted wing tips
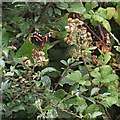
{"x": 38, "y": 40}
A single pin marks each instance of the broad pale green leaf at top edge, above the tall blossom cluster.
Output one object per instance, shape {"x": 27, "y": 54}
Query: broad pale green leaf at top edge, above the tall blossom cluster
{"x": 77, "y": 8}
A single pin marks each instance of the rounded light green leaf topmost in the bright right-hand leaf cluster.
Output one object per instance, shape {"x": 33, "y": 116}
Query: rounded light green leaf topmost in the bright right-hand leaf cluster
{"x": 105, "y": 70}
